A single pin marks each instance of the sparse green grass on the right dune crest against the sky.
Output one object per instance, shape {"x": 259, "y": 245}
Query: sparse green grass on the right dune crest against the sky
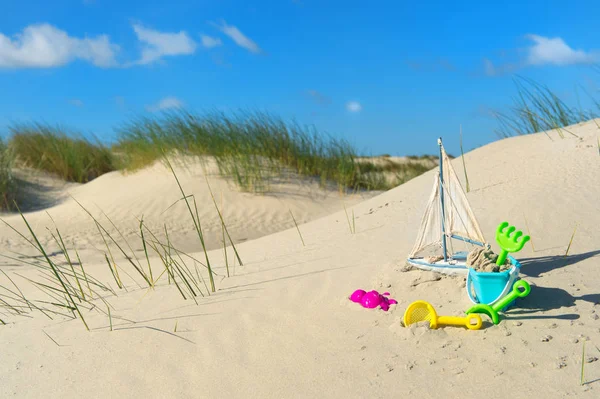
{"x": 536, "y": 108}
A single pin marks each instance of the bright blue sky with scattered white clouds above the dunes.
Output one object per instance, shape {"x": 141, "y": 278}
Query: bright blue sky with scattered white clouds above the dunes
{"x": 389, "y": 76}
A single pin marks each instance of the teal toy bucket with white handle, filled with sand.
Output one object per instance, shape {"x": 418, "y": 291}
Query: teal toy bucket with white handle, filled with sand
{"x": 488, "y": 288}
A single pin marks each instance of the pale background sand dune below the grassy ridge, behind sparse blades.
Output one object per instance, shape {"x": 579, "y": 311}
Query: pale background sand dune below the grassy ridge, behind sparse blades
{"x": 154, "y": 195}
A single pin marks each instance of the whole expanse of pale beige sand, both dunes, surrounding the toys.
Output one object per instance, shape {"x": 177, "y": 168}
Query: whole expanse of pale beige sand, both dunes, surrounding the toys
{"x": 282, "y": 325}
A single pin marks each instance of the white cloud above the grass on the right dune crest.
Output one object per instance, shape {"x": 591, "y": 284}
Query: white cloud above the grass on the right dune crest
{"x": 555, "y": 51}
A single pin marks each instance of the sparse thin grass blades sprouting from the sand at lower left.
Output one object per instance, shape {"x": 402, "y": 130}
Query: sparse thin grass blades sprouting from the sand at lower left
{"x": 62, "y": 283}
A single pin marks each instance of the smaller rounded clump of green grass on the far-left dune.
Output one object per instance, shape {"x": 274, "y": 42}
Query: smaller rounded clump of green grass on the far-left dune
{"x": 59, "y": 151}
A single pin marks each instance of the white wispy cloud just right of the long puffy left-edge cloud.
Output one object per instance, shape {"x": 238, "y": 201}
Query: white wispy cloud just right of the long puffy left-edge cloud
{"x": 159, "y": 44}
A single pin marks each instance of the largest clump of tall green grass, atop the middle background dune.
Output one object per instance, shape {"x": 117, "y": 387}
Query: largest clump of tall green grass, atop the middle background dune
{"x": 248, "y": 147}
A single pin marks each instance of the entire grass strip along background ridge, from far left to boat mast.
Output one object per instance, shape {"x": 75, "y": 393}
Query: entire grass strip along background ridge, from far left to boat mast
{"x": 250, "y": 148}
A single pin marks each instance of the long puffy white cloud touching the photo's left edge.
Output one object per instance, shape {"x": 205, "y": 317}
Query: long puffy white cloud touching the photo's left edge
{"x": 45, "y": 46}
